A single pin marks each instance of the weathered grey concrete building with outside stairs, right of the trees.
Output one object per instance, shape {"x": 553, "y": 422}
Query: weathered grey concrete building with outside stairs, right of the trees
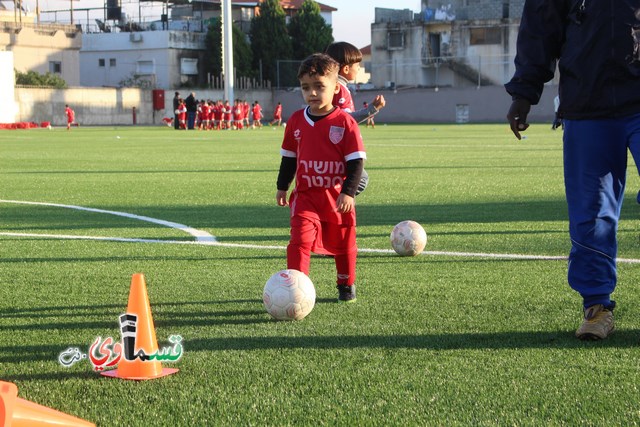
{"x": 457, "y": 44}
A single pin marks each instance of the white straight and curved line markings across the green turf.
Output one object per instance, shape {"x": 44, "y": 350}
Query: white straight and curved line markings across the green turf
{"x": 205, "y": 239}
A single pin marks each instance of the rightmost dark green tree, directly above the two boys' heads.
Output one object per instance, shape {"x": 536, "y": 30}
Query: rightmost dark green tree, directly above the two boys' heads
{"x": 308, "y": 30}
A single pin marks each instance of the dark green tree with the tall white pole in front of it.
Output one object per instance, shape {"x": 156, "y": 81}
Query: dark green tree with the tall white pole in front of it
{"x": 242, "y": 55}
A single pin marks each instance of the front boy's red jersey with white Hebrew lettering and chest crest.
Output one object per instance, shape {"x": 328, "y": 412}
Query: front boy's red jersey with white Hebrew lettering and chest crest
{"x": 322, "y": 150}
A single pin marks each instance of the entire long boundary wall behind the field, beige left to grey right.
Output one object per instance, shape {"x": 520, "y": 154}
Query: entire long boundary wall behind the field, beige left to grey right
{"x": 114, "y": 107}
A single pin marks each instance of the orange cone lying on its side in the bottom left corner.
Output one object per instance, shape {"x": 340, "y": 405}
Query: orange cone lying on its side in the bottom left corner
{"x": 17, "y": 412}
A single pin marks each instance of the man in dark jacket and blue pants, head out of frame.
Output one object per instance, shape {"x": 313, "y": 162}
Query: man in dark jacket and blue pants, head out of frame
{"x": 600, "y": 106}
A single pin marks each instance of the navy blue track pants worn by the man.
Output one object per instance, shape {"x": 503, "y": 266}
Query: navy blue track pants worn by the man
{"x": 595, "y": 167}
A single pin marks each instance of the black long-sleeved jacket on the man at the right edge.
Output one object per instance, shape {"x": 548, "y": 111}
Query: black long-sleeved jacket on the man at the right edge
{"x": 597, "y": 46}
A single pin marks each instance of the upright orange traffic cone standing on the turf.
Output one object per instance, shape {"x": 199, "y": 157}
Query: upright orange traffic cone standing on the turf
{"x": 145, "y": 338}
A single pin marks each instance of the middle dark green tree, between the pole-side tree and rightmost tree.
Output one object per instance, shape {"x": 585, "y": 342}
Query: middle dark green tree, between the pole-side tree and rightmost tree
{"x": 270, "y": 40}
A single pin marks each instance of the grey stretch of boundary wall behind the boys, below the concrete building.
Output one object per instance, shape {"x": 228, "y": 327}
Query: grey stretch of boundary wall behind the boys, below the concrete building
{"x": 487, "y": 104}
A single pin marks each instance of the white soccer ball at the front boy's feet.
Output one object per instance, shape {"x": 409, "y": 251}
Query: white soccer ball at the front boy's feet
{"x": 289, "y": 295}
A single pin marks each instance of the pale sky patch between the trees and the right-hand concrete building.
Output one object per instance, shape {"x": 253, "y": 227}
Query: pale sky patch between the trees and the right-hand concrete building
{"x": 352, "y": 22}
